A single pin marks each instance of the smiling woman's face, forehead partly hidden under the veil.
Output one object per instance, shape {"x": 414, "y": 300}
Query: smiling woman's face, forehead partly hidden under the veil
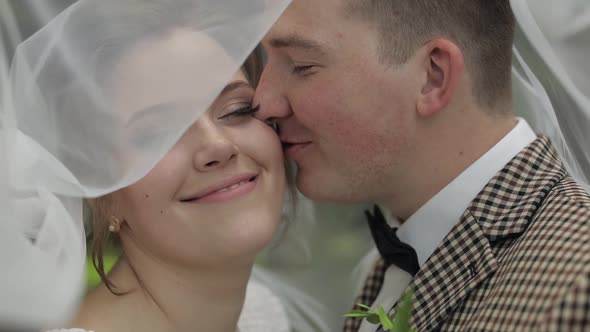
{"x": 217, "y": 195}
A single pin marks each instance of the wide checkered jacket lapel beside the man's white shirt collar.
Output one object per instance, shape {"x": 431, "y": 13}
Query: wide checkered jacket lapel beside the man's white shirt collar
{"x": 465, "y": 258}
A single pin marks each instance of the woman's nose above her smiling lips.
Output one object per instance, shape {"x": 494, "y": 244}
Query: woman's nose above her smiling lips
{"x": 214, "y": 149}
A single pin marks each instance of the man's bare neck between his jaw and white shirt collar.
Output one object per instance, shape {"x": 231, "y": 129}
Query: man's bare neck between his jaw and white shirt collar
{"x": 445, "y": 147}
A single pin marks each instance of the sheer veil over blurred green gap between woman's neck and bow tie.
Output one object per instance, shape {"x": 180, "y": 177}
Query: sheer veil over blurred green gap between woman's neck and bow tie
{"x": 312, "y": 266}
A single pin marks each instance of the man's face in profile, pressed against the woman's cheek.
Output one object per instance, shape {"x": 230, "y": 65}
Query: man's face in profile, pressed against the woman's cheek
{"x": 346, "y": 117}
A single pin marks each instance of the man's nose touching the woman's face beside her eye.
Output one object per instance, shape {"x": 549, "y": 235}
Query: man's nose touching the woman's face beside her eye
{"x": 271, "y": 96}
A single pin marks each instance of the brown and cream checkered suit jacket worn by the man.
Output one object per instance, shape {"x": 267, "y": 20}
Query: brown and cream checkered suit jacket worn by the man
{"x": 518, "y": 260}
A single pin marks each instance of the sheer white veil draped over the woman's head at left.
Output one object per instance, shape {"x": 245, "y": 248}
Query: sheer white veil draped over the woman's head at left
{"x": 62, "y": 138}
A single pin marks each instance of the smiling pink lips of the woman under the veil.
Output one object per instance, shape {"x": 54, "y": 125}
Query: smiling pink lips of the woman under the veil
{"x": 225, "y": 190}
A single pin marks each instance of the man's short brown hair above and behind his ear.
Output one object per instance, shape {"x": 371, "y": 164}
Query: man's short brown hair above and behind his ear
{"x": 483, "y": 29}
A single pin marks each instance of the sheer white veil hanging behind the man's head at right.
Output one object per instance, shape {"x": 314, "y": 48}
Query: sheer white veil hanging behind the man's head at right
{"x": 551, "y": 76}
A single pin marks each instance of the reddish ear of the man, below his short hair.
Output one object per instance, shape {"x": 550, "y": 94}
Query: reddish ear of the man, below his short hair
{"x": 444, "y": 67}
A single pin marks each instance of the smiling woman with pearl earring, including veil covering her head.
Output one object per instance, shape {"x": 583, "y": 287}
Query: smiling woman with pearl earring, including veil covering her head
{"x": 182, "y": 175}
